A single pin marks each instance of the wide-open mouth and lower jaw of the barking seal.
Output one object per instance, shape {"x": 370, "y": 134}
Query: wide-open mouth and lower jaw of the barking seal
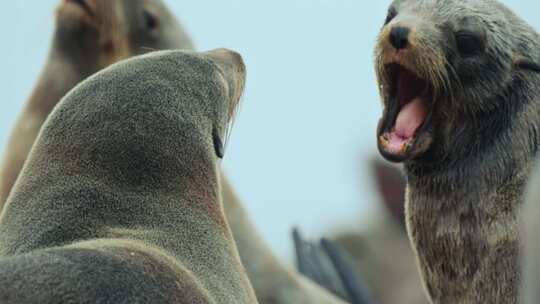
{"x": 405, "y": 130}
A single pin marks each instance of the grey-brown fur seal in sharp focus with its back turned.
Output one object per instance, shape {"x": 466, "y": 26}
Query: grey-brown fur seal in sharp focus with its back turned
{"x": 119, "y": 201}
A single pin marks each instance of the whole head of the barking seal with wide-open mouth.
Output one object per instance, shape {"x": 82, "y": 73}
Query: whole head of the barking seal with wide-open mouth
{"x": 442, "y": 67}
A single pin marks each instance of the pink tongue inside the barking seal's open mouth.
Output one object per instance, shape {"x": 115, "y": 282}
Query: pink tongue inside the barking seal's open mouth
{"x": 410, "y": 118}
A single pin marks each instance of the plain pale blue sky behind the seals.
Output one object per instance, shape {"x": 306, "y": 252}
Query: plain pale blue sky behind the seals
{"x": 307, "y": 125}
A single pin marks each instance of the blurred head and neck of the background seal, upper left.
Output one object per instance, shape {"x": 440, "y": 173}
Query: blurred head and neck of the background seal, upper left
{"x": 89, "y": 35}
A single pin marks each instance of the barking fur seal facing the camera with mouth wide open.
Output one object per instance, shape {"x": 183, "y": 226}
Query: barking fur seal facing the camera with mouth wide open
{"x": 461, "y": 93}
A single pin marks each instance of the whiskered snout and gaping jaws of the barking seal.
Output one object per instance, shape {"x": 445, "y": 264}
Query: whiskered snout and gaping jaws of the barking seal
{"x": 412, "y": 74}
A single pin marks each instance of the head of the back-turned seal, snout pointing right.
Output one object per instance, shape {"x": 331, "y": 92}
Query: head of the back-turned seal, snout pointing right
{"x": 148, "y": 120}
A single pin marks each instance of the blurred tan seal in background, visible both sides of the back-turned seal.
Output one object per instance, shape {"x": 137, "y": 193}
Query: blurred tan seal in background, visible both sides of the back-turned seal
{"x": 140, "y": 26}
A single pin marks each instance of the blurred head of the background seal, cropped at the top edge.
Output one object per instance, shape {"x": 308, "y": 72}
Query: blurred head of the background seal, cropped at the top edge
{"x": 100, "y": 32}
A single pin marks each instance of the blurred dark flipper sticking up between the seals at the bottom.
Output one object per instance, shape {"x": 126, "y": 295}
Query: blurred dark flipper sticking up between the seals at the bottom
{"x": 329, "y": 266}
